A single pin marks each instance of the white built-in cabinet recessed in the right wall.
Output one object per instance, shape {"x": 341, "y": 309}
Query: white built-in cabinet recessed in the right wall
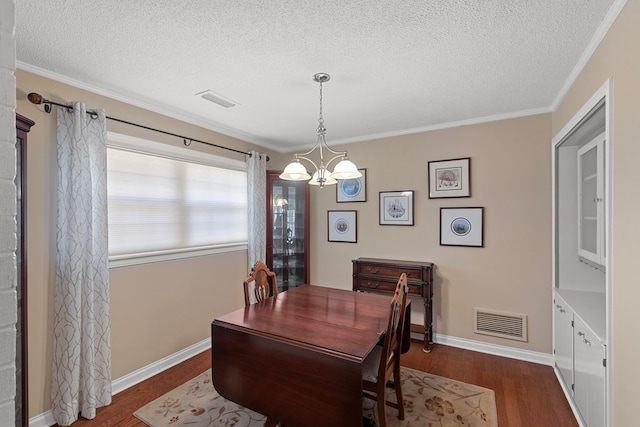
{"x": 581, "y": 277}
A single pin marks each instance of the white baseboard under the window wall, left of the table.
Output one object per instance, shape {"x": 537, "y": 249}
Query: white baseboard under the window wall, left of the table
{"x": 120, "y": 384}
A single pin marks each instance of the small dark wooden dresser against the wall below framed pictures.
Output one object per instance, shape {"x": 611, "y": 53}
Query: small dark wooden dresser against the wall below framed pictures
{"x": 381, "y": 275}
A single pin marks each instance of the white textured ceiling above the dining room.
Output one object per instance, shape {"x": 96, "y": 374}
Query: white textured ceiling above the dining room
{"x": 396, "y": 66}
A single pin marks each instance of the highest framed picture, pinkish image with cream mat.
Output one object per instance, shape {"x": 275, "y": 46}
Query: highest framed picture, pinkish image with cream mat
{"x": 450, "y": 178}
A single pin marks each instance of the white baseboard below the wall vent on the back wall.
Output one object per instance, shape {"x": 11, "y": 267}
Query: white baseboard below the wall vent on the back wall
{"x": 483, "y": 347}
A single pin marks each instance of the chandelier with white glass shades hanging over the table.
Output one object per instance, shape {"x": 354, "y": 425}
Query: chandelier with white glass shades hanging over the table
{"x": 344, "y": 169}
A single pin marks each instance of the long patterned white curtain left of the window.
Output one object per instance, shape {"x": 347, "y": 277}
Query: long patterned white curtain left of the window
{"x": 81, "y": 343}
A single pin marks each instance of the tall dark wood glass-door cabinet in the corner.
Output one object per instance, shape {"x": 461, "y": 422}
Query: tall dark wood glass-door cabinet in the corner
{"x": 287, "y": 230}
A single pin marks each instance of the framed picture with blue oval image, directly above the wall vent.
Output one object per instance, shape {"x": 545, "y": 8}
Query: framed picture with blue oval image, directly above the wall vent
{"x": 461, "y": 227}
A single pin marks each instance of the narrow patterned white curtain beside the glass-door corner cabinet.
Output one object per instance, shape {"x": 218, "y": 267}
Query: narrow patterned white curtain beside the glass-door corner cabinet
{"x": 257, "y": 189}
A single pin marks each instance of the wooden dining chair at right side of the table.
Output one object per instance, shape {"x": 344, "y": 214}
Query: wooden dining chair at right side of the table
{"x": 384, "y": 361}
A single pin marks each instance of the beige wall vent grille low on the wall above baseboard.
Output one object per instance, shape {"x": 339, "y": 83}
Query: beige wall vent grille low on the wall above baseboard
{"x": 499, "y": 324}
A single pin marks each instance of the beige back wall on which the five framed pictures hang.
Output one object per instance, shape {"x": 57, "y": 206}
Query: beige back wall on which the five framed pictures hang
{"x": 510, "y": 178}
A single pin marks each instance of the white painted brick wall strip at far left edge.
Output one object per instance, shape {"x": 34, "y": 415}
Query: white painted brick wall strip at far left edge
{"x": 8, "y": 272}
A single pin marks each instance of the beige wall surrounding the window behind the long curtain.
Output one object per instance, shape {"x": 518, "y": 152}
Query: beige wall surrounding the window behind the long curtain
{"x": 157, "y": 309}
